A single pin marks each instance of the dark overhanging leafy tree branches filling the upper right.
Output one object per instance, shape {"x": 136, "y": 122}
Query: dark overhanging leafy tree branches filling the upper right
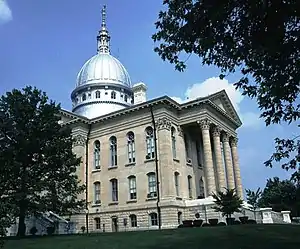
{"x": 259, "y": 39}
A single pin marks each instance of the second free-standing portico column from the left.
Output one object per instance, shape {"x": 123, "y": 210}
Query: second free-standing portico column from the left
{"x": 219, "y": 162}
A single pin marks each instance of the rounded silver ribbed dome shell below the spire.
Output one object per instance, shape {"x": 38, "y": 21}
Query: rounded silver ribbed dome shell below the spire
{"x": 103, "y": 68}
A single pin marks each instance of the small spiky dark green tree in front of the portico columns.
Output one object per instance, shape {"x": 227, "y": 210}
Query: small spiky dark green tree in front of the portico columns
{"x": 227, "y": 202}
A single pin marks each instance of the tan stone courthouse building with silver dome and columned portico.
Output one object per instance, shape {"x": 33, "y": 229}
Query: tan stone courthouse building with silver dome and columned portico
{"x": 131, "y": 164}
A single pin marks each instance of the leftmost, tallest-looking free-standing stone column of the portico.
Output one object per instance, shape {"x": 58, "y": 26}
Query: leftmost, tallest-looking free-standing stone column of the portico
{"x": 208, "y": 162}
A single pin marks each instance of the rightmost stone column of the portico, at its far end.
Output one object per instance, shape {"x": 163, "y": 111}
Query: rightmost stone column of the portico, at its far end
{"x": 236, "y": 167}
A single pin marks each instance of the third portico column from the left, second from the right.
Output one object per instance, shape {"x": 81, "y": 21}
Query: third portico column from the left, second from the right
{"x": 228, "y": 162}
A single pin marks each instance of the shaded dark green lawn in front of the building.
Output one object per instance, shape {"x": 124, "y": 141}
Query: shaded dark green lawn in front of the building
{"x": 231, "y": 237}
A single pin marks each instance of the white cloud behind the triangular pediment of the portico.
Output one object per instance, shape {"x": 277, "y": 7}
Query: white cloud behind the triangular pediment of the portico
{"x": 215, "y": 84}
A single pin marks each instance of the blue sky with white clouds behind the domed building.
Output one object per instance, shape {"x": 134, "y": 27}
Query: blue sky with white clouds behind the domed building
{"x": 44, "y": 43}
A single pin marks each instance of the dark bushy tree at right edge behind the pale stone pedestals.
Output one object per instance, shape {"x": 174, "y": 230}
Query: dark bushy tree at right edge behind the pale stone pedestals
{"x": 281, "y": 195}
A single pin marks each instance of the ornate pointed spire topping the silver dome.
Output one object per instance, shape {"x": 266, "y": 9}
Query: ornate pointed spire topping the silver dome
{"x": 103, "y": 37}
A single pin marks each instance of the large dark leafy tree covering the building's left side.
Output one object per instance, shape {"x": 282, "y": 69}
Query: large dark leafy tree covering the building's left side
{"x": 36, "y": 153}
